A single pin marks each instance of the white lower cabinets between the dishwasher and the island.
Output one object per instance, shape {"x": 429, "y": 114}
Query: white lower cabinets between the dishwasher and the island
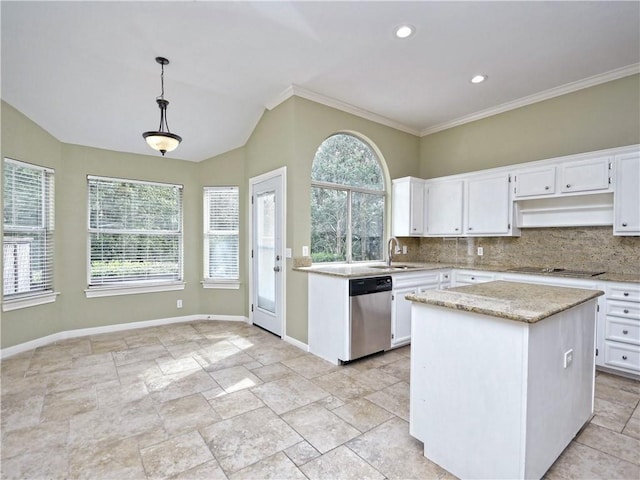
{"x": 408, "y": 284}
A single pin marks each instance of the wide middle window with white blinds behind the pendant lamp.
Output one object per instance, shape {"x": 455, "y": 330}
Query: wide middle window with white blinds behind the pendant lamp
{"x": 135, "y": 232}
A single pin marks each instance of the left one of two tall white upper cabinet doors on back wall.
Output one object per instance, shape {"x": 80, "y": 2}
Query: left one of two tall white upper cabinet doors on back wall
{"x": 444, "y": 208}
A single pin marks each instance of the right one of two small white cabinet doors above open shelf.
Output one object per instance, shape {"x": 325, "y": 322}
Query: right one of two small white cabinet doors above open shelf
{"x": 585, "y": 175}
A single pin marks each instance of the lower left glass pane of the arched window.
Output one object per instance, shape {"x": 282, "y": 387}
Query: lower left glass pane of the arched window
{"x": 328, "y": 225}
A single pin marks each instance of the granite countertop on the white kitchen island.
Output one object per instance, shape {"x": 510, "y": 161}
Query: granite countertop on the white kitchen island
{"x": 522, "y": 302}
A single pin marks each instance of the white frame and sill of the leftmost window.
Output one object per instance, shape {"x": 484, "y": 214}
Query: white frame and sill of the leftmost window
{"x": 47, "y": 294}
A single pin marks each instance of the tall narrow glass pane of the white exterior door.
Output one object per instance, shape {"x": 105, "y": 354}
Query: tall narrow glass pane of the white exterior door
{"x": 265, "y": 244}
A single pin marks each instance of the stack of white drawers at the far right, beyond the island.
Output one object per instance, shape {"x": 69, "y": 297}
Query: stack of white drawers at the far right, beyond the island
{"x": 622, "y": 327}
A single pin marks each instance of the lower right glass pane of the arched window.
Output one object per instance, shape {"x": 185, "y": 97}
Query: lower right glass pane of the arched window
{"x": 367, "y": 220}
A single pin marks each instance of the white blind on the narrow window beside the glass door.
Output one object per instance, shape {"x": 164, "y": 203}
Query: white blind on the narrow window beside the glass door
{"x": 221, "y": 235}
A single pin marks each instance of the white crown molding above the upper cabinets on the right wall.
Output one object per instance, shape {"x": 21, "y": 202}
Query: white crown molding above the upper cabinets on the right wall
{"x": 538, "y": 97}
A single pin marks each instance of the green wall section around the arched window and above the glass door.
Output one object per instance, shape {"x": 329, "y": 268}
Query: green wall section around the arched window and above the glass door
{"x": 288, "y": 136}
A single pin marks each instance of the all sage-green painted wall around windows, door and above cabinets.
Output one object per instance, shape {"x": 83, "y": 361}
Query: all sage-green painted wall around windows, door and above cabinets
{"x": 603, "y": 116}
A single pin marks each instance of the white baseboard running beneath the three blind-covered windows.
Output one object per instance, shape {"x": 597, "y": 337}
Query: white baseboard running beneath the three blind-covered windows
{"x": 82, "y": 332}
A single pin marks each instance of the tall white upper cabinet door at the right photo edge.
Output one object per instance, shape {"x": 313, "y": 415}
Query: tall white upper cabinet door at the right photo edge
{"x": 626, "y": 203}
